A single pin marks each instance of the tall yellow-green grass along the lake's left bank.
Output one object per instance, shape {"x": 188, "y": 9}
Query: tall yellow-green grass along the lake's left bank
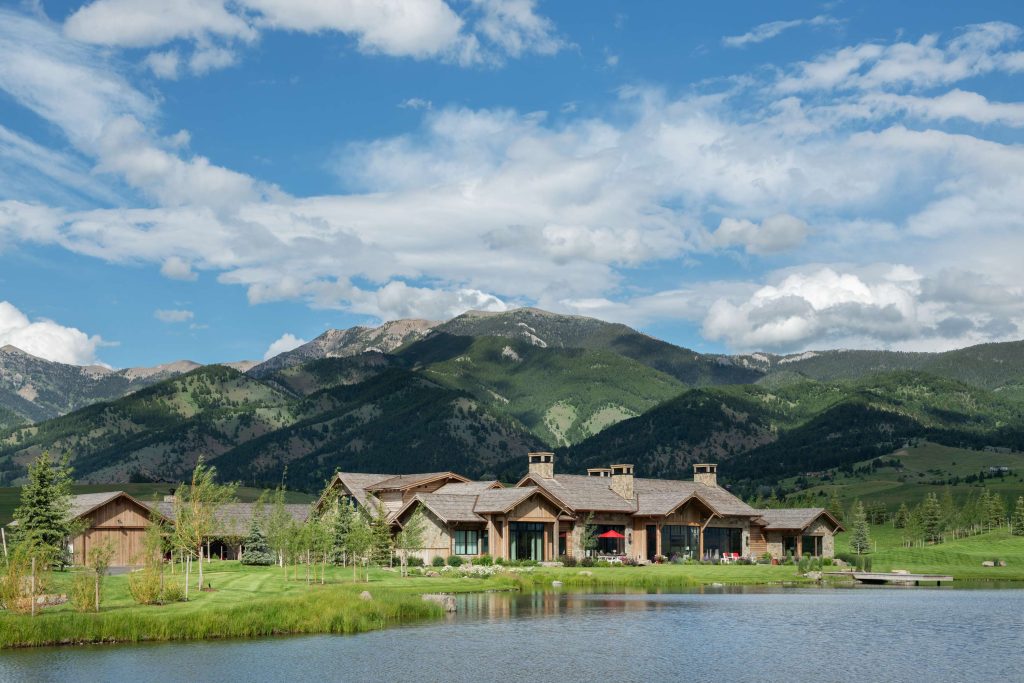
{"x": 332, "y": 610}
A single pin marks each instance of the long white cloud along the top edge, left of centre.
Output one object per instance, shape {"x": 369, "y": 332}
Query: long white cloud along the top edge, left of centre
{"x": 488, "y": 31}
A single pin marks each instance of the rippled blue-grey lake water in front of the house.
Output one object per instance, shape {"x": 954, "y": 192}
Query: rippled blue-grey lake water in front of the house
{"x": 752, "y": 634}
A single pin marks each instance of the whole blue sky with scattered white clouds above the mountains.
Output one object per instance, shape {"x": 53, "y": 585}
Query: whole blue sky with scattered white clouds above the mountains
{"x": 220, "y": 181}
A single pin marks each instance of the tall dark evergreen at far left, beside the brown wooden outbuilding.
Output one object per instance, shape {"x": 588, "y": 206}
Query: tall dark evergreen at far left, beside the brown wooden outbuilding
{"x": 45, "y": 516}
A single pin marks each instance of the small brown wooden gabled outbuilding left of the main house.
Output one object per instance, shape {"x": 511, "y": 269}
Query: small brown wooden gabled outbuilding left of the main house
{"x": 112, "y": 518}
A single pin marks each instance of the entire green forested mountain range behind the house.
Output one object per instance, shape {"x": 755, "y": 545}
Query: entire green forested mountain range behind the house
{"x": 476, "y": 393}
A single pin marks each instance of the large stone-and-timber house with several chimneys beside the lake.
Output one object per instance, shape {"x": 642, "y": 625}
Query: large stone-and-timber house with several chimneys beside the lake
{"x": 543, "y": 516}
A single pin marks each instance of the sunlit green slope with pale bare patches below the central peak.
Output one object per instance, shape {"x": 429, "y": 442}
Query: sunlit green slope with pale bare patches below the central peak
{"x": 563, "y": 396}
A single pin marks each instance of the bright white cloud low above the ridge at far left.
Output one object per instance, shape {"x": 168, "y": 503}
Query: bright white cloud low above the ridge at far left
{"x": 47, "y": 339}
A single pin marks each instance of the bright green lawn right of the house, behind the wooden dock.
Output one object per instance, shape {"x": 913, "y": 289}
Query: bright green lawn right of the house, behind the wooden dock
{"x": 961, "y": 559}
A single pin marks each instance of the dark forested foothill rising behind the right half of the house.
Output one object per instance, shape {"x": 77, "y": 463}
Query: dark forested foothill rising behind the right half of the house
{"x": 767, "y": 435}
